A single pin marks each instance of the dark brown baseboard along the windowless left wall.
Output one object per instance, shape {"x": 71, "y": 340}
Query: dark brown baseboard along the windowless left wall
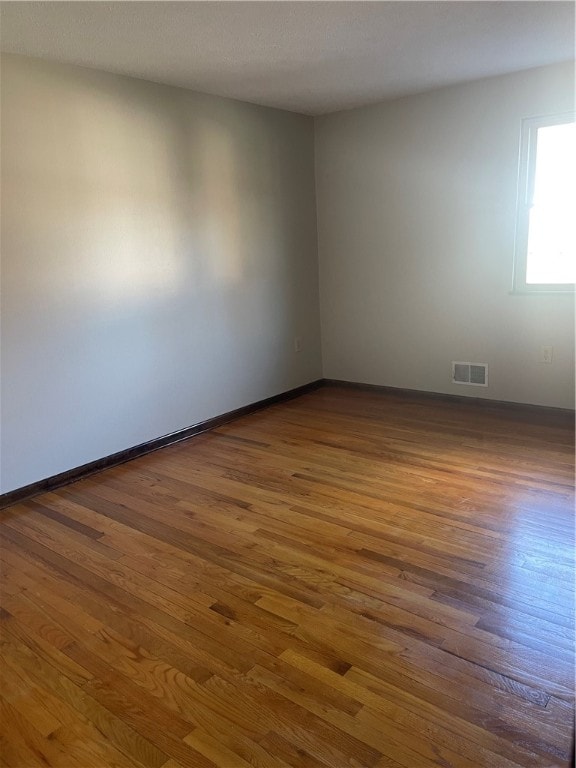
{"x": 121, "y": 457}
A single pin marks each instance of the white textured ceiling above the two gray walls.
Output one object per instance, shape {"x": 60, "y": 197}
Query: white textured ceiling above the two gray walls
{"x": 310, "y": 57}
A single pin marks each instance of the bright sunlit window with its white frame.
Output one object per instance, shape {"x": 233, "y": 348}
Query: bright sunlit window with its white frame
{"x": 545, "y": 258}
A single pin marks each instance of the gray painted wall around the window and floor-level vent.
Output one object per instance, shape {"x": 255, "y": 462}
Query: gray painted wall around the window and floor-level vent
{"x": 416, "y": 219}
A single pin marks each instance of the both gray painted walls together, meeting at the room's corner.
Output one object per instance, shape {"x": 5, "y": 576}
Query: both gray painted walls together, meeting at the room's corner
{"x": 159, "y": 255}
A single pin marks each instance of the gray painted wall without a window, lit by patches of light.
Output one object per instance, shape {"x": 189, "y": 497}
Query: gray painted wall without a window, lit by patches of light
{"x": 159, "y": 257}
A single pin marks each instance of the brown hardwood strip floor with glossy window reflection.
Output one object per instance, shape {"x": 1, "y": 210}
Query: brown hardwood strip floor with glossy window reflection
{"x": 347, "y": 579}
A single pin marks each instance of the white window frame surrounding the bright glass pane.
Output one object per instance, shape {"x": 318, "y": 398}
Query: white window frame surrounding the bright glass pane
{"x": 526, "y": 174}
